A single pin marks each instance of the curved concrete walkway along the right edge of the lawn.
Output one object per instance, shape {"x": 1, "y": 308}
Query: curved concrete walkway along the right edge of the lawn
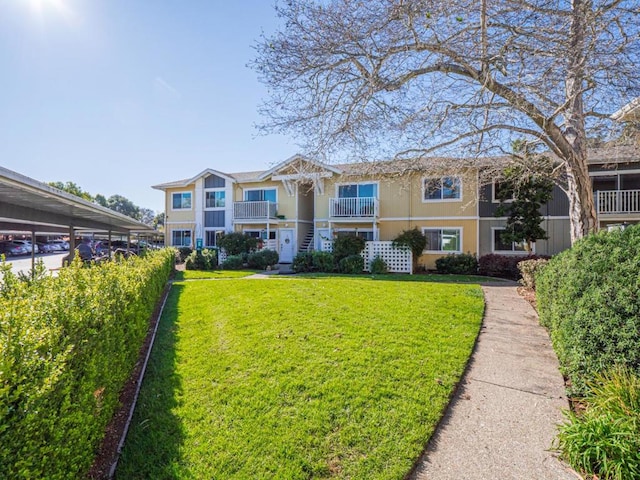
{"x": 502, "y": 421}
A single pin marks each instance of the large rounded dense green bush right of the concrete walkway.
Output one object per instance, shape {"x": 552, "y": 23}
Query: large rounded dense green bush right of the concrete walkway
{"x": 588, "y": 299}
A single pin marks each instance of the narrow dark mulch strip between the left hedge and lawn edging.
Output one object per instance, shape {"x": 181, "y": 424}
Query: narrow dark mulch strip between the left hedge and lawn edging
{"x": 108, "y": 453}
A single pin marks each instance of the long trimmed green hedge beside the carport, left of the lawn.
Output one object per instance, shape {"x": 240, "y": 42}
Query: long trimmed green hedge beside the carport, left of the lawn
{"x": 67, "y": 346}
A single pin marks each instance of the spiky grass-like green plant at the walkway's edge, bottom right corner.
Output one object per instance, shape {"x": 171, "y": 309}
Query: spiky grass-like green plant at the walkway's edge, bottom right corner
{"x": 604, "y": 441}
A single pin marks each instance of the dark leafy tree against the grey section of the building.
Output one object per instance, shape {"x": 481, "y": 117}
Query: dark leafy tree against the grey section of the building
{"x": 521, "y": 195}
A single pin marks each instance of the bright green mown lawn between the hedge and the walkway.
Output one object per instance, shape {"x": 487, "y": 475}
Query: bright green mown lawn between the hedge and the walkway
{"x": 299, "y": 378}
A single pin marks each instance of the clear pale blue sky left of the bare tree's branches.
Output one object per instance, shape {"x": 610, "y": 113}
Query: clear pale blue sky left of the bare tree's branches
{"x": 119, "y": 95}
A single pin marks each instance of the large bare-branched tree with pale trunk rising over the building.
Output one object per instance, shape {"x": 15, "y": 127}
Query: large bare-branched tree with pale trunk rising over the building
{"x": 404, "y": 78}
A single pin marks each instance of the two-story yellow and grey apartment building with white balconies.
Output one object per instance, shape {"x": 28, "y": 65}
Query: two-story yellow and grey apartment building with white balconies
{"x": 300, "y": 203}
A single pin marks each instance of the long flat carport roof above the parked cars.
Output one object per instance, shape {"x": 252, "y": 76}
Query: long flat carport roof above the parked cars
{"x": 27, "y": 204}
